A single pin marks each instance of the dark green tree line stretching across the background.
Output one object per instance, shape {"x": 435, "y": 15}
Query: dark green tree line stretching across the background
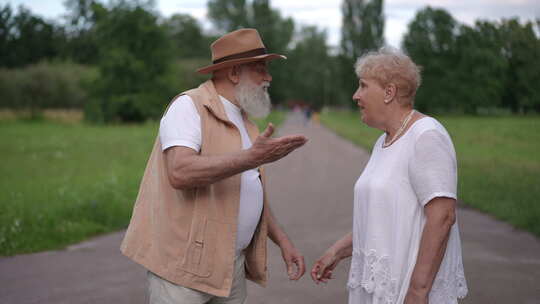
{"x": 127, "y": 61}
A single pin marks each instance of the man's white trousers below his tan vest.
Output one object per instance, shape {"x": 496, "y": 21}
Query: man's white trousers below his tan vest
{"x": 161, "y": 291}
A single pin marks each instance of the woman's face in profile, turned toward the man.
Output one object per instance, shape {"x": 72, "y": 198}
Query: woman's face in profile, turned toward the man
{"x": 370, "y": 99}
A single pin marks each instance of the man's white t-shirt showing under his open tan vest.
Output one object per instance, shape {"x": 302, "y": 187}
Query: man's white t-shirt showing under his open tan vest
{"x": 181, "y": 126}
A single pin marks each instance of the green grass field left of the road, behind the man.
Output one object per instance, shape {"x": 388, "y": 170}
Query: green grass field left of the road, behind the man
{"x": 62, "y": 183}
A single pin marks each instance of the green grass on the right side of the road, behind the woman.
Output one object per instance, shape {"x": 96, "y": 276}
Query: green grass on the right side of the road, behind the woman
{"x": 498, "y": 160}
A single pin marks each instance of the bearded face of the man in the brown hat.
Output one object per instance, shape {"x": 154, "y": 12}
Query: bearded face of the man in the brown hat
{"x": 252, "y": 89}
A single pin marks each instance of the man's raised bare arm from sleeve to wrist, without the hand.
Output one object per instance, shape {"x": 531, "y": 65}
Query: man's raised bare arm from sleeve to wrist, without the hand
{"x": 197, "y": 171}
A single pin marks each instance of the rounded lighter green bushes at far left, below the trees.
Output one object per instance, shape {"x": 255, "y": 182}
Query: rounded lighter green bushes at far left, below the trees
{"x": 45, "y": 85}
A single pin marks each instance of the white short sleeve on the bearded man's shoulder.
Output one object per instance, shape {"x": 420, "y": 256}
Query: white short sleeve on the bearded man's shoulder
{"x": 181, "y": 125}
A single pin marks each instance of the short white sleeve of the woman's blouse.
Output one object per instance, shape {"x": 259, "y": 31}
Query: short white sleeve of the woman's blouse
{"x": 432, "y": 169}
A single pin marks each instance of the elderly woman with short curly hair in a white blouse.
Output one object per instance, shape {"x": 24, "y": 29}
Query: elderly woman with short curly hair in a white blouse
{"x": 405, "y": 243}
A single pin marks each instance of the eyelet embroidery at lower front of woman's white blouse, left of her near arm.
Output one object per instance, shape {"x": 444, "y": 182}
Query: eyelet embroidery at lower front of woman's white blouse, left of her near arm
{"x": 371, "y": 271}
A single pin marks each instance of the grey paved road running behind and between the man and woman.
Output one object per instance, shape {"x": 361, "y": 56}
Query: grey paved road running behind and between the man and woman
{"x": 311, "y": 194}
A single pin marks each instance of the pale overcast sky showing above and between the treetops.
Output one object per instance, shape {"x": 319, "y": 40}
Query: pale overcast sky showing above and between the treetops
{"x": 327, "y": 13}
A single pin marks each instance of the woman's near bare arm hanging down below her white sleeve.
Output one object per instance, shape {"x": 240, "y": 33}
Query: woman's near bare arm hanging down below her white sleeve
{"x": 440, "y": 216}
